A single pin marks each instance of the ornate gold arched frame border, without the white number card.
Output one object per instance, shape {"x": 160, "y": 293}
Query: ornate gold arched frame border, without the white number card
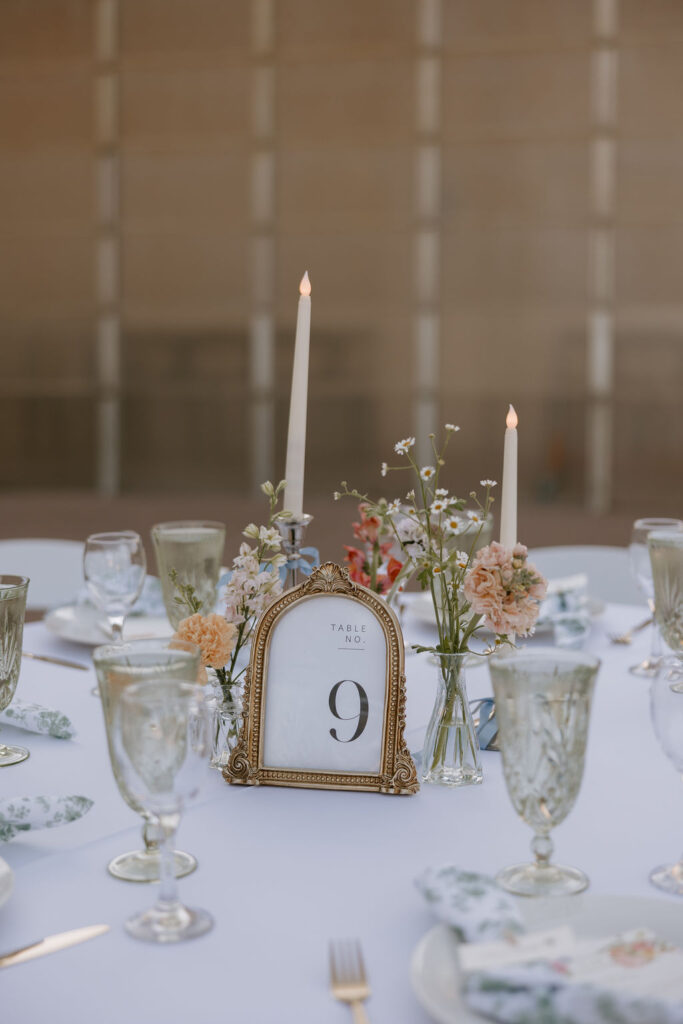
{"x": 397, "y": 774}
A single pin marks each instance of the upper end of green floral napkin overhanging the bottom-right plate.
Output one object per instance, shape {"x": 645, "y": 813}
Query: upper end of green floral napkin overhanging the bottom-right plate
{"x": 474, "y": 905}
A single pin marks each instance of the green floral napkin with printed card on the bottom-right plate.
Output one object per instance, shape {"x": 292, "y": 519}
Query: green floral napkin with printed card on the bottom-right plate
{"x": 509, "y": 976}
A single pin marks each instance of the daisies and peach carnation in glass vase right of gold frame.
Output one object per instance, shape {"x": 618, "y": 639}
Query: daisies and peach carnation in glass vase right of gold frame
{"x": 472, "y": 588}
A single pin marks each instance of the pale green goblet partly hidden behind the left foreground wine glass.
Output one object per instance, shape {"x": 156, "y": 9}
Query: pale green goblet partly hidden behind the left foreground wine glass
{"x": 118, "y": 667}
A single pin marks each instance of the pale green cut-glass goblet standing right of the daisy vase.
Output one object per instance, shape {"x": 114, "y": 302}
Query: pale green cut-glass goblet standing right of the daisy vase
{"x": 543, "y": 703}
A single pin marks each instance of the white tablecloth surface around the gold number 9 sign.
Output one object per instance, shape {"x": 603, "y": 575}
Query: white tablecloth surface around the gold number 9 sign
{"x": 285, "y": 871}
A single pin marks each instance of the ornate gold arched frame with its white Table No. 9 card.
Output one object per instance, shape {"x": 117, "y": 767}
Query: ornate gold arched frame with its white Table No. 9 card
{"x": 325, "y": 698}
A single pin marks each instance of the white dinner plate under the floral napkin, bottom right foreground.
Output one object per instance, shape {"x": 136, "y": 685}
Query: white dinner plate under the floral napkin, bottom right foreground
{"x": 435, "y": 973}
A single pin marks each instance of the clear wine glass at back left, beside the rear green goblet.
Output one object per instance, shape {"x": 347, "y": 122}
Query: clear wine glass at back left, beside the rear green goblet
{"x": 115, "y": 567}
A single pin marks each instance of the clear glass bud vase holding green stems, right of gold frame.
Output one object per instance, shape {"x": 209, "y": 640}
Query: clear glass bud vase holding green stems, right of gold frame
{"x": 451, "y": 752}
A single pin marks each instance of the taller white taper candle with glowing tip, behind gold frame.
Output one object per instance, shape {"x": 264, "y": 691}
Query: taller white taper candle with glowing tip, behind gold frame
{"x": 296, "y": 438}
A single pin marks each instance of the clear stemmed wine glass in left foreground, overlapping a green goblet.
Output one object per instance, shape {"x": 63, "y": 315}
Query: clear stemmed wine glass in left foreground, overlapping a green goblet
{"x": 161, "y": 746}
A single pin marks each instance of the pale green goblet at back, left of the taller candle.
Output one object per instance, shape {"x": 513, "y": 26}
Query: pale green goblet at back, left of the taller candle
{"x": 195, "y": 550}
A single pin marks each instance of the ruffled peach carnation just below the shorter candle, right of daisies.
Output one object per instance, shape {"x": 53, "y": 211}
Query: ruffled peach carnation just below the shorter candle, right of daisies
{"x": 505, "y": 589}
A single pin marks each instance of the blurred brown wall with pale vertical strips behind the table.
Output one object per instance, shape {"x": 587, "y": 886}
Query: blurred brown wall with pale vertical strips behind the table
{"x": 488, "y": 196}
